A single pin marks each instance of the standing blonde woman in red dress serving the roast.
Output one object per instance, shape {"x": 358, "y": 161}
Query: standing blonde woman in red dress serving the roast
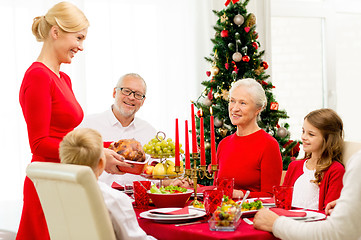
{"x": 49, "y": 106}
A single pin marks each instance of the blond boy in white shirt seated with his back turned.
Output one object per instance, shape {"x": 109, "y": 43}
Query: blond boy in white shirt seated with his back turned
{"x": 84, "y": 146}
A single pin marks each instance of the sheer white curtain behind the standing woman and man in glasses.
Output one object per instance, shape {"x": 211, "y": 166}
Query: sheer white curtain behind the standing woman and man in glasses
{"x": 164, "y": 41}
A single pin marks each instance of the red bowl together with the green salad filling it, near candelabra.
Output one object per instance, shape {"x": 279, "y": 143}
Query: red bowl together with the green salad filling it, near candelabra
{"x": 169, "y": 196}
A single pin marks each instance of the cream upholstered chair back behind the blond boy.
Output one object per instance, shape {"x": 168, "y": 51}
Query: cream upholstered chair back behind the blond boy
{"x": 73, "y": 205}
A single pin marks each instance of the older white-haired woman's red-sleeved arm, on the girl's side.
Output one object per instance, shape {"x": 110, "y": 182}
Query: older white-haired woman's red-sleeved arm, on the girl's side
{"x": 271, "y": 170}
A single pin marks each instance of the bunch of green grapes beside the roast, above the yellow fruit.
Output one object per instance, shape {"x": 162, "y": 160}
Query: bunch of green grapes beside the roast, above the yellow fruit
{"x": 158, "y": 147}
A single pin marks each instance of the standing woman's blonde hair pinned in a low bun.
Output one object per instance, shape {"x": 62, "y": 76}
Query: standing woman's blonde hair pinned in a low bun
{"x": 65, "y": 15}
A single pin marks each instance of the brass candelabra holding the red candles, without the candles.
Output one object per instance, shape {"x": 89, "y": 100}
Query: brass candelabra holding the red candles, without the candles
{"x": 198, "y": 172}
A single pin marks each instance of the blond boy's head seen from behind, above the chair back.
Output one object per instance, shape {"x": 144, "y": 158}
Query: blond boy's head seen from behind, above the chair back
{"x": 83, "y": 146}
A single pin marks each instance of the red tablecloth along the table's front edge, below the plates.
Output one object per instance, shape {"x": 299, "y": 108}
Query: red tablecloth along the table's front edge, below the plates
{"x": 198, "y": 231}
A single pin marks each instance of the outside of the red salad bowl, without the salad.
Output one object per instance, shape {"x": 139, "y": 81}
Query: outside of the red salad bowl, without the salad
{"x": 170, "y": 200}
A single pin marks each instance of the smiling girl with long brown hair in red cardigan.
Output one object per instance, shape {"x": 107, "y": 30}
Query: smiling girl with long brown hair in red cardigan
{"x": 317, "y": 179}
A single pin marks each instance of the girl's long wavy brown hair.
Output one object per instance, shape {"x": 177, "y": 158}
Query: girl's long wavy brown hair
{"x": 331, "y": 127}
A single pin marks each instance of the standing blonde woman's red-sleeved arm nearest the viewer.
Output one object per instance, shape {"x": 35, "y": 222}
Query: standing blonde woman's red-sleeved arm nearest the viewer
{"x": 37, "y": 113}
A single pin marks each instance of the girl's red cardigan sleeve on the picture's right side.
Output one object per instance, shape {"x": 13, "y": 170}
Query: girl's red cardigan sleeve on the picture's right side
{"x": 333, "y": 186}
